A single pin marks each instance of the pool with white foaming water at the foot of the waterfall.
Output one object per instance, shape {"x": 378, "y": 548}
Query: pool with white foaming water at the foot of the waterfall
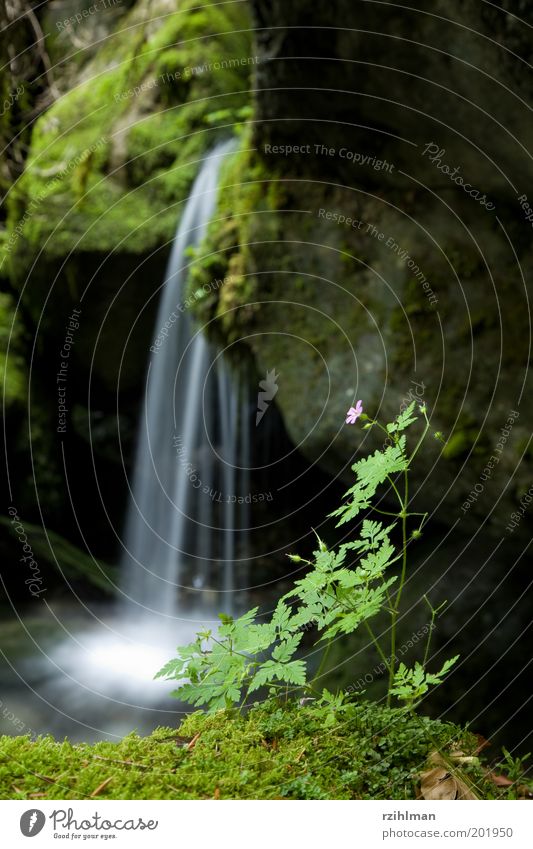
{"x": 88, "y": 674}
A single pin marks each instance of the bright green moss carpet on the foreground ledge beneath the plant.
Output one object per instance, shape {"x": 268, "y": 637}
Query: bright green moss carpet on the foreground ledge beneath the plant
{"x": 272, "y": 752}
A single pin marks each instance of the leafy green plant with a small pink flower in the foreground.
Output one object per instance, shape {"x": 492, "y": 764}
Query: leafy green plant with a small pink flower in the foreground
{"x": 343, "y": 590}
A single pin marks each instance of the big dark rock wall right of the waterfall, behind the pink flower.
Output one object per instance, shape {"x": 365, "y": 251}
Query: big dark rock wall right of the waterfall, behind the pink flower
{"x": 397, "y": 253}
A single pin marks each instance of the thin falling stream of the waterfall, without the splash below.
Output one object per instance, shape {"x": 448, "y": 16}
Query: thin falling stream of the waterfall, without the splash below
{"x": 184, "y": 520}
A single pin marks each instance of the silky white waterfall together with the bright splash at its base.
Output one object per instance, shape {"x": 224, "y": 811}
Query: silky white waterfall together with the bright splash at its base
{"x": 184, "y": 535}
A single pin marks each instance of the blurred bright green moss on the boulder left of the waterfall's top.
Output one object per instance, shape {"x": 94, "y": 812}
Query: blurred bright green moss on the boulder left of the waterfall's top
{"x": 111, "y": 158}
